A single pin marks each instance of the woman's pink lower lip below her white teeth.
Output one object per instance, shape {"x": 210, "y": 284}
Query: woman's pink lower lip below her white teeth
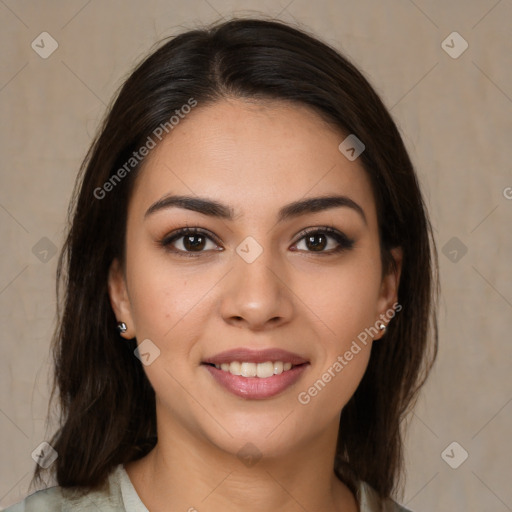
{"x": 256, "y": 388}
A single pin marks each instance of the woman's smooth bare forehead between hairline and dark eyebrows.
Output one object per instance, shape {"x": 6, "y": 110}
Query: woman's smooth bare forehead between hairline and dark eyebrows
{"x": 253, "y": 155}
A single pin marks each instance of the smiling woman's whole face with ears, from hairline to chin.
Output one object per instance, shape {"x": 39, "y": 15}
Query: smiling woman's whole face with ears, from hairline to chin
{"x": 252, "y": 279}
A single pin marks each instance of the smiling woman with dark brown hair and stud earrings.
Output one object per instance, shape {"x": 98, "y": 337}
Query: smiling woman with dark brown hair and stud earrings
{"x": 249, "y": 285}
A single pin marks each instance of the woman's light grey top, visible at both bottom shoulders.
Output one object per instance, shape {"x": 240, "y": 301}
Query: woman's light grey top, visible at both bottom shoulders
{"x": 121, "y": 496}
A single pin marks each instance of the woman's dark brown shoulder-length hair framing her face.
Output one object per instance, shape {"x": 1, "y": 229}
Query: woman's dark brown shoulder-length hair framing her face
{"x": 107, "y": 405}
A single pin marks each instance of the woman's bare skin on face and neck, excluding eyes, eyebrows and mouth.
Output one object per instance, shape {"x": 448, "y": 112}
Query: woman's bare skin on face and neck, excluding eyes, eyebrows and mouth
{"x": 255, "y": 157}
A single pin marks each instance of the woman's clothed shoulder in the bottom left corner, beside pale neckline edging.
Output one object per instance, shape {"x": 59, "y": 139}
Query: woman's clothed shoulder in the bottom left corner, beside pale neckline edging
{"x": 59, "y": 499}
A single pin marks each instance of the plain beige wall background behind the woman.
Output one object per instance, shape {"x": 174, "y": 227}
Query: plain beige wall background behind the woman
{"x": 455, "y": 115}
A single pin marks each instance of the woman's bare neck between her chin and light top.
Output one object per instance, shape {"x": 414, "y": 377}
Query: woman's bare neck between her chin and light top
{"x": 186, "y": 472}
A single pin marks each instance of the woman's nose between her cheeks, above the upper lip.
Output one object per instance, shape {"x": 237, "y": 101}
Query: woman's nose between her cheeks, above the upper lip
{"x": 256, "y": 295}
